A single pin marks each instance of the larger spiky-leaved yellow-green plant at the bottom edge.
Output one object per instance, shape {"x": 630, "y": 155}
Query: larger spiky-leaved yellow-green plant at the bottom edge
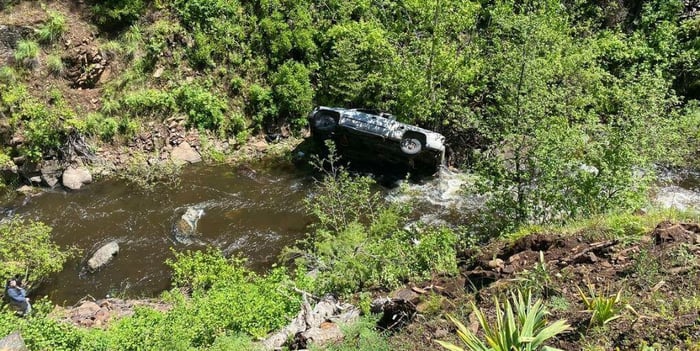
{"x": 521, "y": 325}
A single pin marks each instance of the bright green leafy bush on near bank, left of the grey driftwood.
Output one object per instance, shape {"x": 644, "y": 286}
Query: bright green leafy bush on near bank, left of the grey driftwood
{"x": 230, "y": 297}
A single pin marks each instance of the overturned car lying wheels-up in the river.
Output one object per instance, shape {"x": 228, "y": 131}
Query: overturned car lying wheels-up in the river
{"x": 377, "y": 138}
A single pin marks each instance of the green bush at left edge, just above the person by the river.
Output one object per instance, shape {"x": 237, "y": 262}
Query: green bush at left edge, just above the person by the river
{"x": 26, "y": 249}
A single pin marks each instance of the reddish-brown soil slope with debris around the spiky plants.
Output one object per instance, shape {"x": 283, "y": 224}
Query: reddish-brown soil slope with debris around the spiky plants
{"x": 657, "y": 276}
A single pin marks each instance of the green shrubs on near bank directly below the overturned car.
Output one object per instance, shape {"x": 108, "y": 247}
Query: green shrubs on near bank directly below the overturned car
{"x": 359, "y": 241}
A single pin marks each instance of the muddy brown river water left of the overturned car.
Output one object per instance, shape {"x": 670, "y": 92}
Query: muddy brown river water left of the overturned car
{"x": 250, "y": 213}
